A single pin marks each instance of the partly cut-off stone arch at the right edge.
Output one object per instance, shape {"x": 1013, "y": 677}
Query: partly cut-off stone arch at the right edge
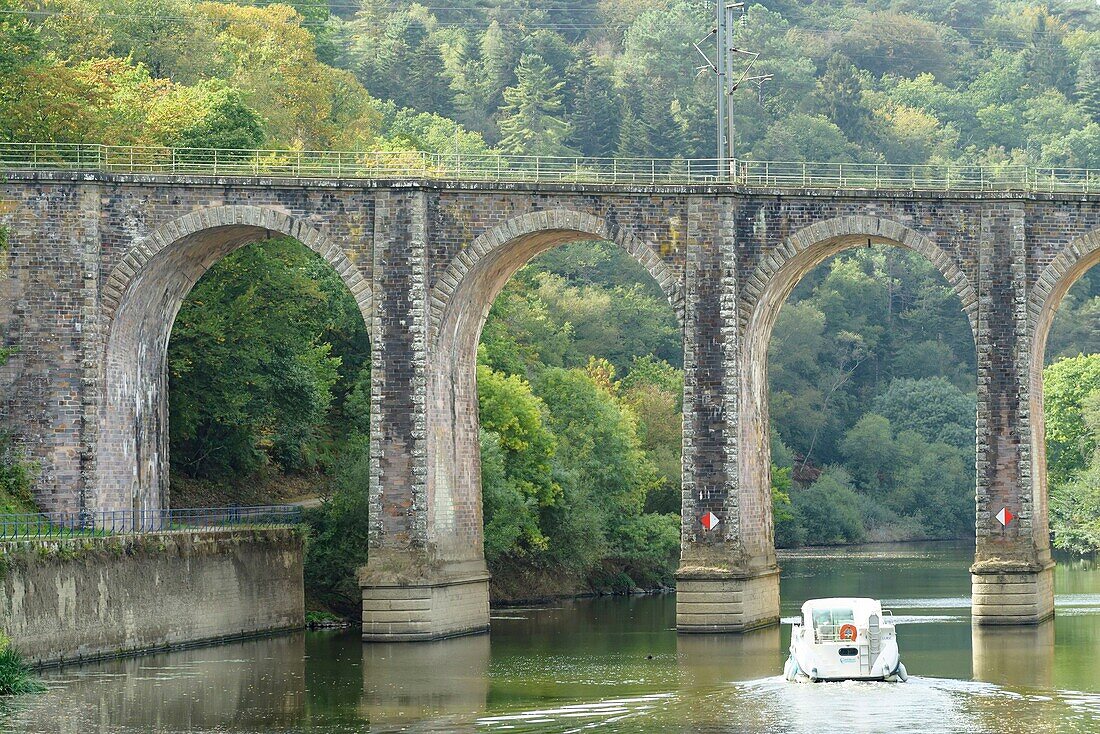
{"x": 1043, "y": 303}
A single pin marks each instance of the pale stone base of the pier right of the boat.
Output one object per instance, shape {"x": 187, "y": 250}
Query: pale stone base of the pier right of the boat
{"x": 1010, "y": 593}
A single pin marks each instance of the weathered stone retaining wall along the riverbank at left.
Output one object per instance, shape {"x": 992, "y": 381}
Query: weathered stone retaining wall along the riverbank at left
{"x": 79, "y": 599}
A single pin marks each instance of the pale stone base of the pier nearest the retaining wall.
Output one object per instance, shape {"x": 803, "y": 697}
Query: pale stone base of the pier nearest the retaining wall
{"x": 409, "y": 601}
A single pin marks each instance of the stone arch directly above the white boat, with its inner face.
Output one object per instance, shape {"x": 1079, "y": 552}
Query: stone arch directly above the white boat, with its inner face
{"x": 763, "y": 297}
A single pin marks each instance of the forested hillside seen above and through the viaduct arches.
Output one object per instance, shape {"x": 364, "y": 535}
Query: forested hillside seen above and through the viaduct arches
{"x": 872, "y": 365}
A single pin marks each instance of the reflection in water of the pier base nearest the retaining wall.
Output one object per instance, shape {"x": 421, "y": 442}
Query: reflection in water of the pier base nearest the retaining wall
{"x": 404, "y": 683}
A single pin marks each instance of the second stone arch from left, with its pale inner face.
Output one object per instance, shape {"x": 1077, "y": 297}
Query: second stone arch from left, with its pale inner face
{"x": 459, "y": 305}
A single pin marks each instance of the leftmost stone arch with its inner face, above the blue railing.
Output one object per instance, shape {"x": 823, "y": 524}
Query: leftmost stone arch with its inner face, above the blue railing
{"x": 140, "y": 302}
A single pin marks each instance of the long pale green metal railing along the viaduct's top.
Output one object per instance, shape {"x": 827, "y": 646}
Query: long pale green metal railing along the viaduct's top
{"x": 408, "y": 166}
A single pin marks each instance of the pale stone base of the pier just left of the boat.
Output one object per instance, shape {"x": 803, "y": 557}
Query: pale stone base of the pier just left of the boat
{"x": 710, "y": 601}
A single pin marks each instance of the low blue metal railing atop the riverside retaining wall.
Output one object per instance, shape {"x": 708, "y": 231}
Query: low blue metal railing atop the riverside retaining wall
{"x": 134, "y": 522}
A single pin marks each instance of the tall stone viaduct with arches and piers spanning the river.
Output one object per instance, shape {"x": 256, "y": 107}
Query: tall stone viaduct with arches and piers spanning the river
{"x": 96, "y": 266}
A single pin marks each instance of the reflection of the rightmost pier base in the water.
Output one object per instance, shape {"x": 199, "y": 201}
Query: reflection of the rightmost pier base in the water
{"x": 1015, "y": 656}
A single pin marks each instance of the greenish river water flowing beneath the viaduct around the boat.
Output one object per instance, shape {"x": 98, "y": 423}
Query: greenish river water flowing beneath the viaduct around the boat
{"x": 617, "y": 665}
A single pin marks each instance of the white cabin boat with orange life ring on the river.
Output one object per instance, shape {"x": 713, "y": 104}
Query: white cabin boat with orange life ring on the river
{"x": 844, "y": 640}
